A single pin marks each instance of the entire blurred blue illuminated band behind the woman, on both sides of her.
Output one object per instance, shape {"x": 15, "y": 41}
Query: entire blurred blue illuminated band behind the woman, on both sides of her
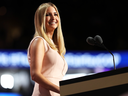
{"x": 75, "y": 59}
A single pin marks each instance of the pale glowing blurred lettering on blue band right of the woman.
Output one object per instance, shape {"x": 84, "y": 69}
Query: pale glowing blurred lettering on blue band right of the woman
{"x": 91, "y": 60}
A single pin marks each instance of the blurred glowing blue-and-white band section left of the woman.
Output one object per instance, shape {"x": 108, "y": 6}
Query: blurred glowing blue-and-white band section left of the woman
{"x": 13, "y": 59}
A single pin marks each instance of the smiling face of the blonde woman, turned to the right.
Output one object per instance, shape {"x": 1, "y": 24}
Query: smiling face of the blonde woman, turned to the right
{"x": 52, "y": 19}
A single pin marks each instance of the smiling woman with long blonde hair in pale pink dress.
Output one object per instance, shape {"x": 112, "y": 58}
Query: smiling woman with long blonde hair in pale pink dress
{"x": 46, "y": 52}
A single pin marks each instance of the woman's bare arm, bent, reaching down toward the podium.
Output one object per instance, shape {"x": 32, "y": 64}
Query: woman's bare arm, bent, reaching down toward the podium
{"x": 37, "y": 52}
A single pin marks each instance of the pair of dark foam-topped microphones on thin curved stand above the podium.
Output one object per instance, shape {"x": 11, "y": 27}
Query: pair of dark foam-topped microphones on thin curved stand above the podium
{"x": 99, "y": 42}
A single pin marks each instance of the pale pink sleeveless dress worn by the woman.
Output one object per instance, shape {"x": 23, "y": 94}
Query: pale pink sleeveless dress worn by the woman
{"x": 54, "y": 67}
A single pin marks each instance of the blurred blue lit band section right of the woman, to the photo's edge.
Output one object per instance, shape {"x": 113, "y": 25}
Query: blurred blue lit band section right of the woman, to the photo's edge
{"x": 94, "y": 59}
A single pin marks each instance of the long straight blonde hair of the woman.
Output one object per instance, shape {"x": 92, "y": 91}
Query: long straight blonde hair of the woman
{"x": 40, "y": 29}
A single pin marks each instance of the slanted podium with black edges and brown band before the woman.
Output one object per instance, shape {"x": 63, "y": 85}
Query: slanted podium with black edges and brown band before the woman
{"x": 110, "y": 83}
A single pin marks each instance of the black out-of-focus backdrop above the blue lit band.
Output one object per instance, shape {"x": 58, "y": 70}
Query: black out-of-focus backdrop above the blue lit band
{"x": 79, "y": 19}
